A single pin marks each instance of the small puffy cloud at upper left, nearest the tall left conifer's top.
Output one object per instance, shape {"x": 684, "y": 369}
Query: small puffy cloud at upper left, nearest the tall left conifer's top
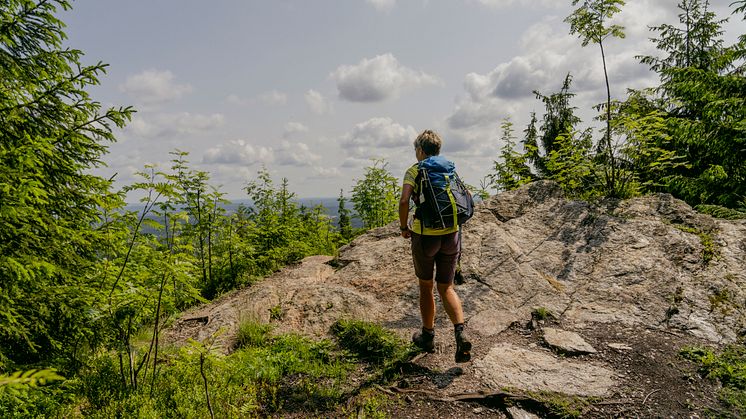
{"x": 154, "y": 87}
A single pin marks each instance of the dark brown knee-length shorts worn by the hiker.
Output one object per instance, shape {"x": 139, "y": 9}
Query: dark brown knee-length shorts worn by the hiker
{"x": 435, "y": 252}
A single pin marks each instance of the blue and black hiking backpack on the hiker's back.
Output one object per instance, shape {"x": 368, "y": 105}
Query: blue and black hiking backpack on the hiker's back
{"x": 443, "y": 200}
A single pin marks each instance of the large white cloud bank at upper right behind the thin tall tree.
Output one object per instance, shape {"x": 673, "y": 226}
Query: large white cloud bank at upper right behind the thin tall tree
{"x": 550, "y": 54}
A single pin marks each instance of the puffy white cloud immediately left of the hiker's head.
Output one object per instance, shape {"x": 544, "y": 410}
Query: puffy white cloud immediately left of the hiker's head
{"x": 377, "y": 133}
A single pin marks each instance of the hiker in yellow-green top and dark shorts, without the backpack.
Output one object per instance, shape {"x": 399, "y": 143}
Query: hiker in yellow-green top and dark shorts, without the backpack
{"x": 435, "y": 253}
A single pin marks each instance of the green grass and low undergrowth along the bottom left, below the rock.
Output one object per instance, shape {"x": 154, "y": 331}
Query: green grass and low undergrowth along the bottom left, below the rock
{"x": 266, "y": 375}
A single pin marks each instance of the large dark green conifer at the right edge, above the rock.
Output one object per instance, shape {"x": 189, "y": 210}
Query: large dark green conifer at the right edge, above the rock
{"x": 702, "y": 98}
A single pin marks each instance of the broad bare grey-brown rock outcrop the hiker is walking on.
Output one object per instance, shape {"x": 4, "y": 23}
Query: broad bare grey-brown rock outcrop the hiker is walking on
{"x": 650, "y": 263}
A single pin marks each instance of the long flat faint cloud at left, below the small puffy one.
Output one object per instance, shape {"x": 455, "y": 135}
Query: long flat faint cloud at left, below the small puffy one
{"x": 166, "y": 125}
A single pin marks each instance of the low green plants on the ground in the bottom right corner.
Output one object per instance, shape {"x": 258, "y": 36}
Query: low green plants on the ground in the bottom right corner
{"x": 728, "y": 368}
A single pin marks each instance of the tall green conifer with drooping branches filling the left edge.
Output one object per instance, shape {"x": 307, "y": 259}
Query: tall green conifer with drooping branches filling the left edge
{"x": 51, "y": 133}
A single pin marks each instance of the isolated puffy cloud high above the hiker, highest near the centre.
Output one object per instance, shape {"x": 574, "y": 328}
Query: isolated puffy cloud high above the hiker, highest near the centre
{"x": 378, "y": 79}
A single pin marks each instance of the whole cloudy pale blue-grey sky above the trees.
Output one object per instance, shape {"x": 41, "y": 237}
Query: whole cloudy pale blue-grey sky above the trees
{"x": 313, "y": 90}
